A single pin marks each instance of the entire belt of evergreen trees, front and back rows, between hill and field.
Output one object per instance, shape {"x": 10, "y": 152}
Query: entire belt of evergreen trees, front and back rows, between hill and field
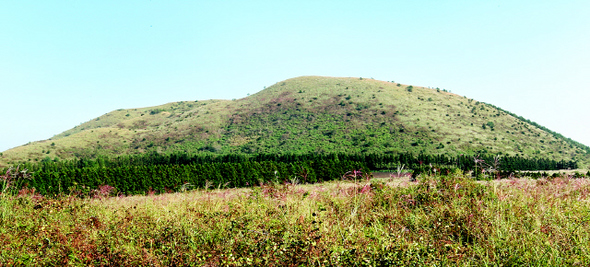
{"x": 161, "y": 172}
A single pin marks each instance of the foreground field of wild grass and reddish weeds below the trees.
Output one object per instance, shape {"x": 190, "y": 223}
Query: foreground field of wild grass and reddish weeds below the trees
{"x": 437, "y": 221}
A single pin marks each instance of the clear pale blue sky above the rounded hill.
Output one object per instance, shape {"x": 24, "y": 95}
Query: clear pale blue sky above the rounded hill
{"x": 66, "y": 62}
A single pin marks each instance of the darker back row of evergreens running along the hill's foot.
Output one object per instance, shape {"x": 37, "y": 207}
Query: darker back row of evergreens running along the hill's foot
{"x": 372, "y": 161}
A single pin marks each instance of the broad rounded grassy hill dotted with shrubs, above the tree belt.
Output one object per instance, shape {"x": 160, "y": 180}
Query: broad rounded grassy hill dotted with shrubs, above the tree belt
{"x": 311, "y": 114}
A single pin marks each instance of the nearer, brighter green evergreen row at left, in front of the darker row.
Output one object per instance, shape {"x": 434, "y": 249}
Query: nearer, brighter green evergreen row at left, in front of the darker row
{"x": 139, "y": 179}
